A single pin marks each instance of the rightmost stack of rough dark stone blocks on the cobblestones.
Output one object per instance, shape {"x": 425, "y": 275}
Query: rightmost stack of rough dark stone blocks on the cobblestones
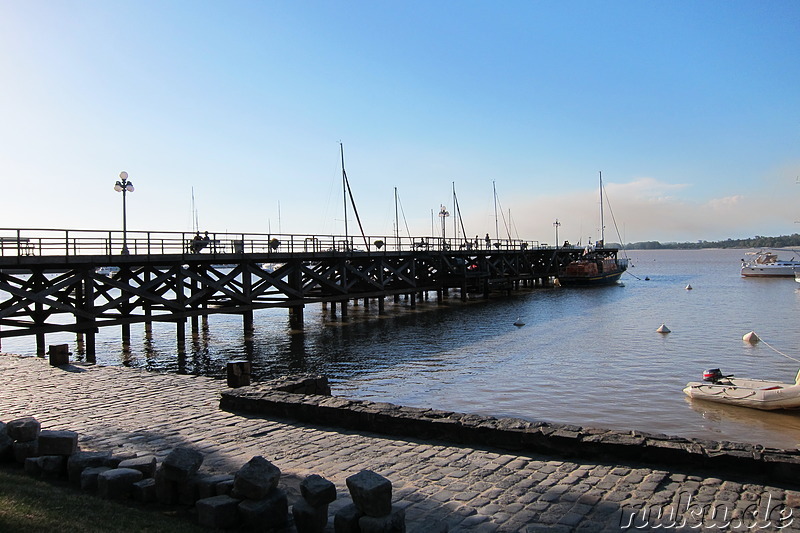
{"x": 372, "y": 510}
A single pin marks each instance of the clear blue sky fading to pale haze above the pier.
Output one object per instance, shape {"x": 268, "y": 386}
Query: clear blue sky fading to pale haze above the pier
{"x": 231, "y": 114}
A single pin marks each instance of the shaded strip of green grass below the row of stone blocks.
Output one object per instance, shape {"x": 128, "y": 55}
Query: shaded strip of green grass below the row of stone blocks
{"x": 31, "y": 505}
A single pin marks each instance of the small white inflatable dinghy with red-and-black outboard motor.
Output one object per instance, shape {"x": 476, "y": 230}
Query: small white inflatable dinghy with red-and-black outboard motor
{"x": 754, "y": 393}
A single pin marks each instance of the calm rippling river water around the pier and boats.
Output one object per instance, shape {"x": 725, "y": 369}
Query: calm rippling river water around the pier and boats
{"x": 590, "y": 357}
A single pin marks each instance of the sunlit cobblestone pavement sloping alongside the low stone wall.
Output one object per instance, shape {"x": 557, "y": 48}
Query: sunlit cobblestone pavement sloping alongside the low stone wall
{"x": 439, "y": 485}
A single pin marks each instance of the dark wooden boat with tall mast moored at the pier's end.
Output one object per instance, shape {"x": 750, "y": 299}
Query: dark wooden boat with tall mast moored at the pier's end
{"x": 598, "y": 265}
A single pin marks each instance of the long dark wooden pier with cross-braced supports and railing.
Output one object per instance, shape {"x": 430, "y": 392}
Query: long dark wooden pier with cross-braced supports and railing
{"x": 79, "y": 281}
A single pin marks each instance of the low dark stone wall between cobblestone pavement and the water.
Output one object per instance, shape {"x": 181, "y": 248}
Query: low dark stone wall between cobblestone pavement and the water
{"x": 521, "y": 436}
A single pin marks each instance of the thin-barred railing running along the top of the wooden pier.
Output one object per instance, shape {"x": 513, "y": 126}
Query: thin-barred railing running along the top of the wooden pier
{"x": 19, "y": 242}
